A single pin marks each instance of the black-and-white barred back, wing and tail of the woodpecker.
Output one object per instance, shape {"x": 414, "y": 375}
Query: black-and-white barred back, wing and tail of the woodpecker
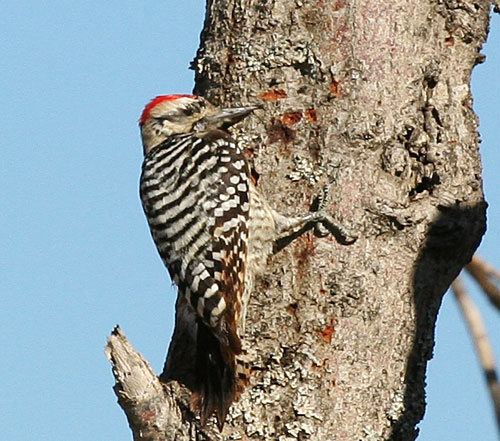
{"x": 195, "y": 192}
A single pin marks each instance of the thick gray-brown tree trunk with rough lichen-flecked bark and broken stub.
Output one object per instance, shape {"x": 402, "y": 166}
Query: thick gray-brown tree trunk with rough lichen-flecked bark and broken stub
{"x": 374, "y": 98}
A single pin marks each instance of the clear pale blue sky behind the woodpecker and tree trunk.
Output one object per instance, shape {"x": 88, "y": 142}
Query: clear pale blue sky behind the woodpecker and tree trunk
{"x": 77, "y": 257}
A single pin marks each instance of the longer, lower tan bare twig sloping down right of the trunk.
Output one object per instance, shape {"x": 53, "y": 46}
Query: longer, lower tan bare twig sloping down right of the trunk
{"x": 483, "y": 348}
